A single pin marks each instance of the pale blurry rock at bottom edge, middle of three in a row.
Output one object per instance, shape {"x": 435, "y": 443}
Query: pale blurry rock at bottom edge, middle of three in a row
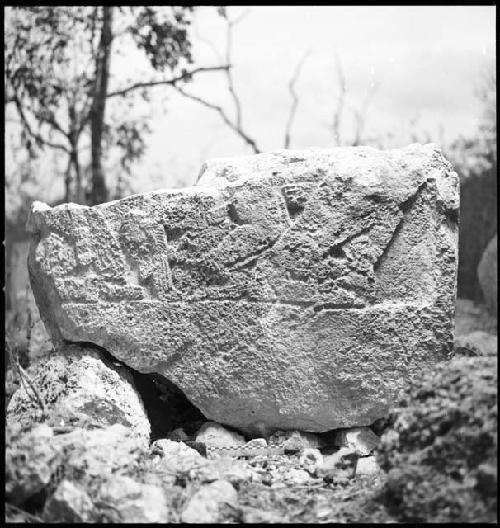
{"x": 124, "y": 500}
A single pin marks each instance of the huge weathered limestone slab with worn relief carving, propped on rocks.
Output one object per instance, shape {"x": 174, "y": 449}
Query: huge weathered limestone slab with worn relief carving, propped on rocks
{"x": 290, "y": 290}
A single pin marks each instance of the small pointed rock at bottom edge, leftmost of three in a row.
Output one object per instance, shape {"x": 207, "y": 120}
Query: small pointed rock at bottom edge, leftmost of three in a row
{"x": 69, "y": 504}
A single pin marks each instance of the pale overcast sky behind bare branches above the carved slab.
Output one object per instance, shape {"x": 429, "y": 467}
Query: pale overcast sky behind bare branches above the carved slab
{"x": 424, "y": 61}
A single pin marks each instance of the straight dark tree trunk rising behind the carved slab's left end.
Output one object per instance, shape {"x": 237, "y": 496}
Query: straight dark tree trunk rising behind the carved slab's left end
{"x": 98, "y": 192}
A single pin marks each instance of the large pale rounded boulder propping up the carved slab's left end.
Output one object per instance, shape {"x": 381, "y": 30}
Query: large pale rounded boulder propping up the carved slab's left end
{"x": 78, "y": 387}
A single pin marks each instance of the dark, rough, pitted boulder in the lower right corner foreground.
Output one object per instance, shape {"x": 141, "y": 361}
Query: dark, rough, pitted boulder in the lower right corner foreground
{"x": 442, "y": 434}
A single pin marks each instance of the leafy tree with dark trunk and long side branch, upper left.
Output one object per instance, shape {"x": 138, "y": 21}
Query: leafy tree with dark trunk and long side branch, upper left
{"x": 58, "y": 73}
